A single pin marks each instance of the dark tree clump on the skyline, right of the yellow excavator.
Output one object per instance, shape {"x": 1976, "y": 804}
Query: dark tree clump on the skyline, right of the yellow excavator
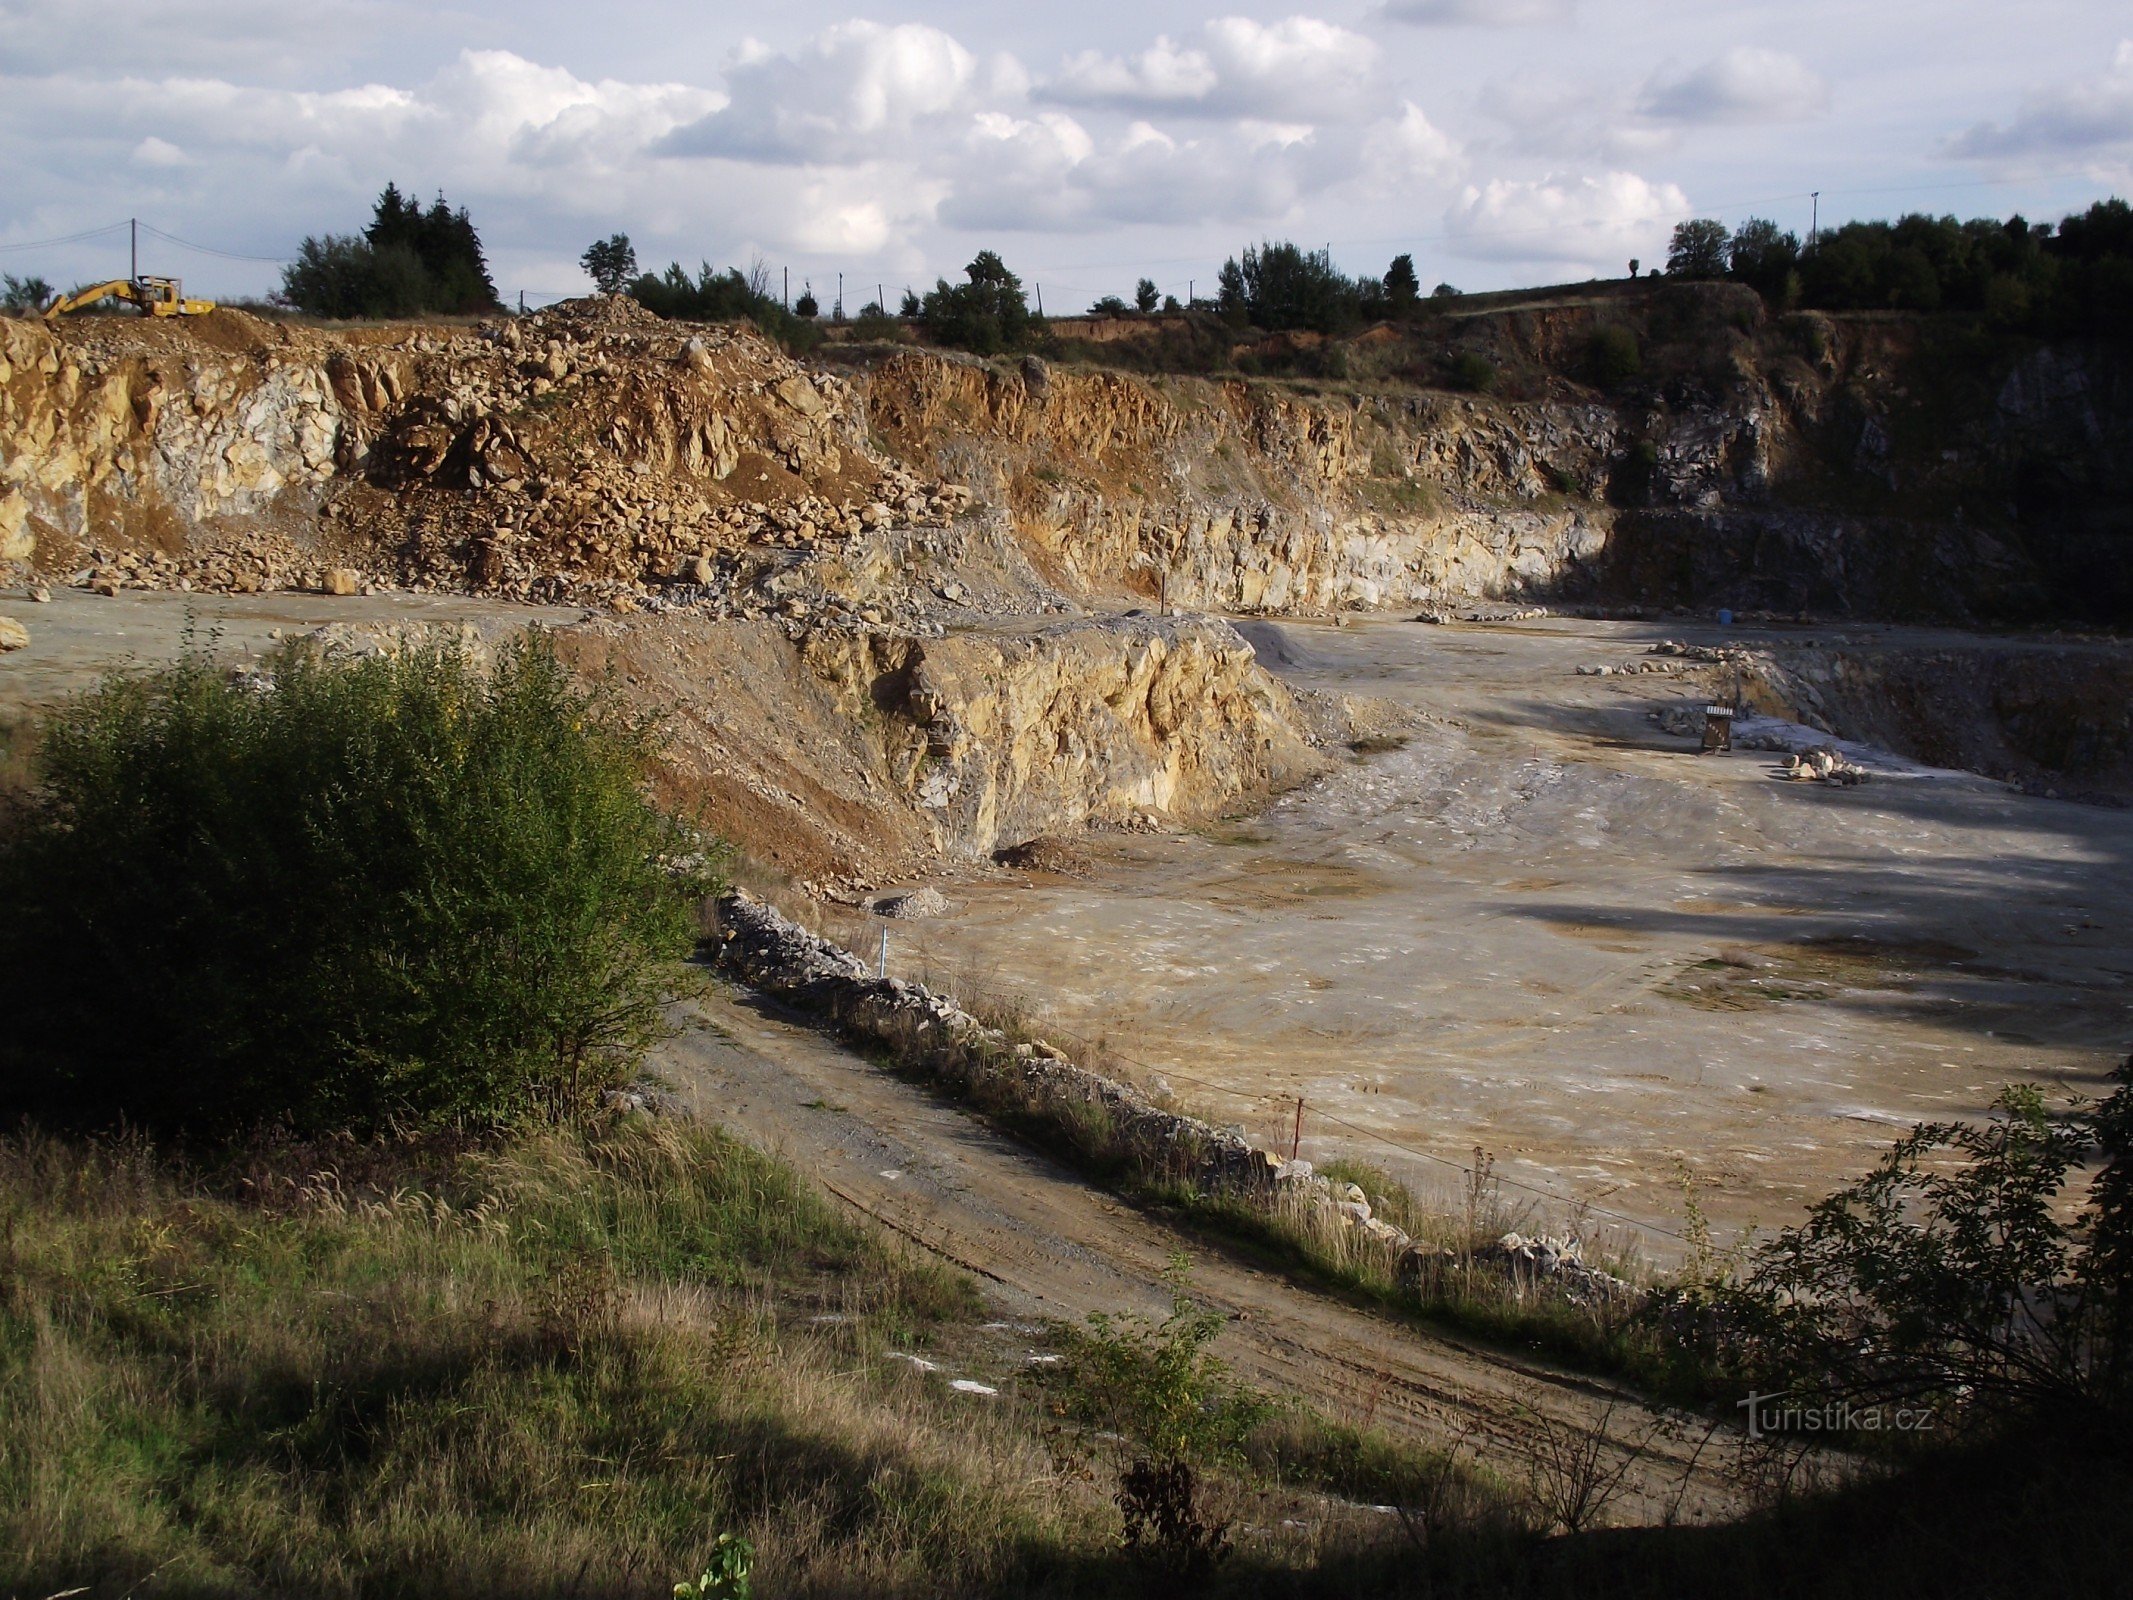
{"x": 406, "y": 263}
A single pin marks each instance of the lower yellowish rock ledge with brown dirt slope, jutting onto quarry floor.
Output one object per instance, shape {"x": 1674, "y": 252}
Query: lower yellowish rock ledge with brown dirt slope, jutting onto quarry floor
{"x": 848, "y": 756}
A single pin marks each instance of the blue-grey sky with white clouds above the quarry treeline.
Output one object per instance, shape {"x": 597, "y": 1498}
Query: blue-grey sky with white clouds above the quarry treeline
{"x": 1501, "y": 142}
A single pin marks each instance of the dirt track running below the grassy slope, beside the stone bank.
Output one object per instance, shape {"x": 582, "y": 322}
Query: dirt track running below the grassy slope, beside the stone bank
{"x": 1053, "y": 1247}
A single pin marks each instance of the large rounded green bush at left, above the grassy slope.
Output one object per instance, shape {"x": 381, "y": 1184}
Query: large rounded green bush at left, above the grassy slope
{"x": 383, "y": 893}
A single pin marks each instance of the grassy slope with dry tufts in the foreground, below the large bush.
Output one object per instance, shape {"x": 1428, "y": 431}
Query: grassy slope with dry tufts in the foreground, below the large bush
{"x": 558, "y": 1366}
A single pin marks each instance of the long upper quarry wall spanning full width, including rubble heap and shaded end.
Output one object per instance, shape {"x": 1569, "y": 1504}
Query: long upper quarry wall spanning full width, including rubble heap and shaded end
{"x": 1846, "y": 466}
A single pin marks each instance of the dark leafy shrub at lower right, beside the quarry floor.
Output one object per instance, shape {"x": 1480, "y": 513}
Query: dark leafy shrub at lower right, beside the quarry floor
{"x": 1953, "y": 1275}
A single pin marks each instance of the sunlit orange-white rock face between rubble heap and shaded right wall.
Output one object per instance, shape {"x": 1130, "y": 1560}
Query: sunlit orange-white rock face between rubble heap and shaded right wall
{"x": 1238, "y": 498}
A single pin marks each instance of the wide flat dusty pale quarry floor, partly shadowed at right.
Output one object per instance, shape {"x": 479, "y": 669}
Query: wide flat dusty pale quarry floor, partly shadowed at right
{"x": 1547, "y": 929}
